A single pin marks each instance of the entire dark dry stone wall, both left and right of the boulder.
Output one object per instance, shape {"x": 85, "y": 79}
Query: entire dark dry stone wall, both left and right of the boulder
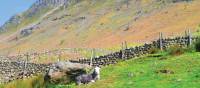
{"x": 16, "y": 69}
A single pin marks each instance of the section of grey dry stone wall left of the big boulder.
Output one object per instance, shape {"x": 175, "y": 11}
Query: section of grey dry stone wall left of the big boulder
{"x": 10, "y": 71}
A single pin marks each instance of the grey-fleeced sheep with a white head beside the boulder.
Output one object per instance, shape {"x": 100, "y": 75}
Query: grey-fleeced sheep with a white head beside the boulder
{"x": 87, "y": 78}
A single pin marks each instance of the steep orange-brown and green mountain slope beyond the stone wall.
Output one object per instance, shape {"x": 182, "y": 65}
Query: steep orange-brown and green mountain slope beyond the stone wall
{"x": 98, "y": 23}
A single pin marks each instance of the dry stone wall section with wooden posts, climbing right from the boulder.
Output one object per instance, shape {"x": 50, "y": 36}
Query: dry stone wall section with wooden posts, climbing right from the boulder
{"x": 136, "y": 51}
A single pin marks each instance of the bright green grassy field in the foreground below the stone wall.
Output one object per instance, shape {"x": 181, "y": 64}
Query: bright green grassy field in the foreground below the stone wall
{"x": 152, "y": 71}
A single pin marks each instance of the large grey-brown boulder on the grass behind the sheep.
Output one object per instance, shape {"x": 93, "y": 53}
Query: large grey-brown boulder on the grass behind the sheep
{"x": 65, "y": 72}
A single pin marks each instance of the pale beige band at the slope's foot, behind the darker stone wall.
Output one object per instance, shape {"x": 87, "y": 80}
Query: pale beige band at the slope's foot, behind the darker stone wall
{"x": 34, "y": 55}
